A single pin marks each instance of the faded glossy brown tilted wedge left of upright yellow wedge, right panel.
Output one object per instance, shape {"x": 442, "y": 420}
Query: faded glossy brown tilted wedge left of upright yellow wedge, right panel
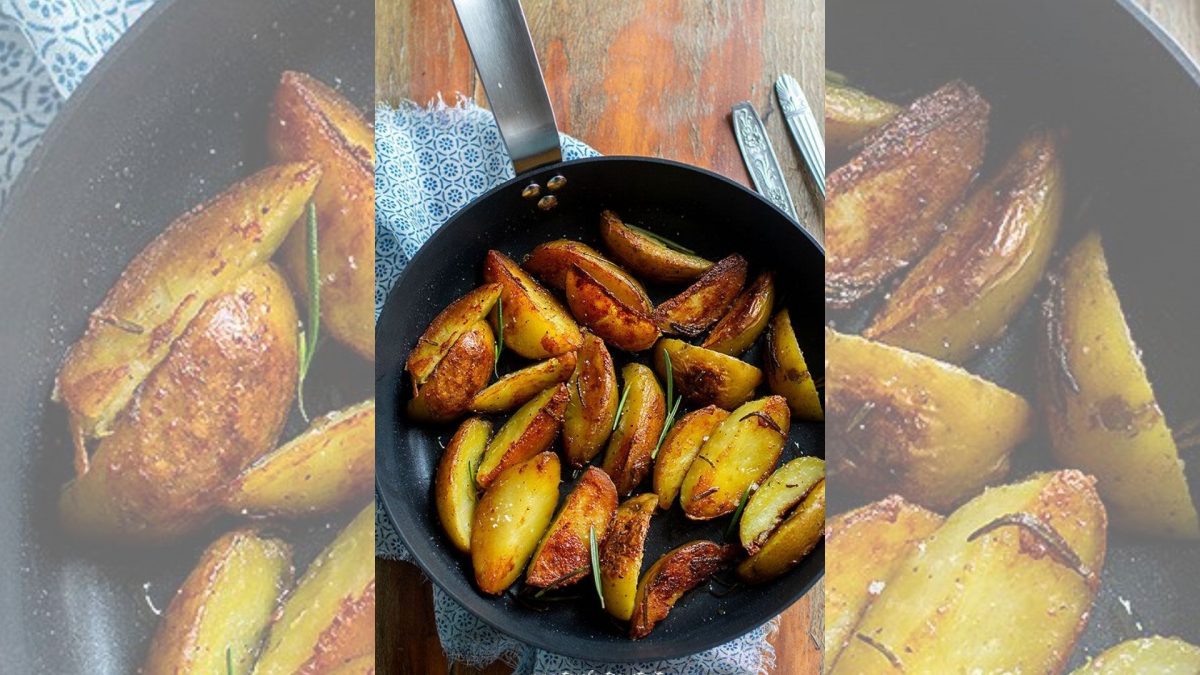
{"x": 964, "y": 292}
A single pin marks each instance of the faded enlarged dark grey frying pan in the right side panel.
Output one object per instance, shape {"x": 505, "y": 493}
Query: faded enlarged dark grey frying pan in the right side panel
{"x": 1131, "y": 104}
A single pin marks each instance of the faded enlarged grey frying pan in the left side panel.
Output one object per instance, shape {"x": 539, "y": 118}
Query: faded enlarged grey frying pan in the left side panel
{"x": 173, "y": 115}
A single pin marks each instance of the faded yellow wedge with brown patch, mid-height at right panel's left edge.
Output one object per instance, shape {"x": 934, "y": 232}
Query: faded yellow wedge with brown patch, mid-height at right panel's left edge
{"x": 904, "y": 423}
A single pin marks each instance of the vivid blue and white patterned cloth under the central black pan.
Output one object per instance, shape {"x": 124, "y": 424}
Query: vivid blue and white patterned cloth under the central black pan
{"x": 433, "y": 163}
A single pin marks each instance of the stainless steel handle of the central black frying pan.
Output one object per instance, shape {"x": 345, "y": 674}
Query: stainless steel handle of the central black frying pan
{"x": 508, "y": 64}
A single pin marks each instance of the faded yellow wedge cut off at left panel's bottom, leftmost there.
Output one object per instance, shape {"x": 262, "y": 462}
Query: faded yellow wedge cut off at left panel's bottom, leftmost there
{"x": 225, "y": 606}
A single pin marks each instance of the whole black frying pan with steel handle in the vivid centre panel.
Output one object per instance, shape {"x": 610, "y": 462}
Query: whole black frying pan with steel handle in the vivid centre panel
{"x": 701, "y": 210}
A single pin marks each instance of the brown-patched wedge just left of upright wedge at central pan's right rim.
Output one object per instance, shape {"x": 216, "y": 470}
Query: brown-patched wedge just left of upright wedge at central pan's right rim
{"x": 706, "y": 378}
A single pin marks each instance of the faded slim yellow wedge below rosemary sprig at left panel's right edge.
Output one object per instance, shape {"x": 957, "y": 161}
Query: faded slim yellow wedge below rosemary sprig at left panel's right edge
{"x": 326, "y": 469}
